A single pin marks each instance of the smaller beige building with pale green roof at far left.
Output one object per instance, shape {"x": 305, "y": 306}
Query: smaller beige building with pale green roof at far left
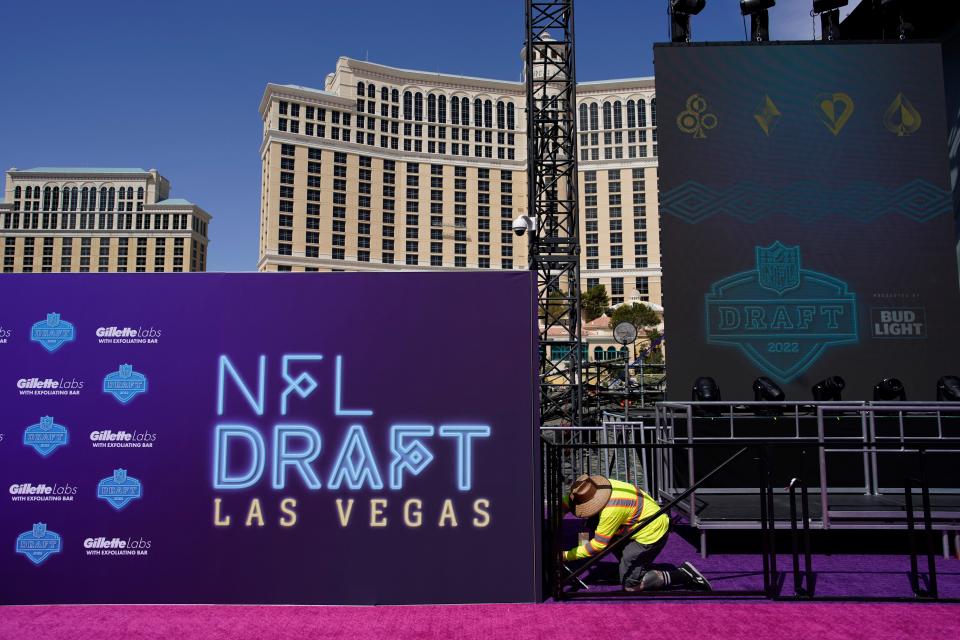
{"x": 68, "y": 219}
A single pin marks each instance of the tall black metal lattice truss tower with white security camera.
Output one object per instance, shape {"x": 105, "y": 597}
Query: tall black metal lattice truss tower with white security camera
{"x": 552, "y": 192}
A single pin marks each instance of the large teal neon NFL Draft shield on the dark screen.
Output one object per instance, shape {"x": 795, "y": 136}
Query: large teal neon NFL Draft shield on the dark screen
{"x": 781, "y": 316}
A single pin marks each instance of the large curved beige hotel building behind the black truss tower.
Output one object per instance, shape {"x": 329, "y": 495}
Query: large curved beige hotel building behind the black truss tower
{"x": 392, "y": 169}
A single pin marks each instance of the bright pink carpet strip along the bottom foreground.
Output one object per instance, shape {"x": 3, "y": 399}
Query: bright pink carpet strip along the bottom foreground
{"x": 750, "y": 621}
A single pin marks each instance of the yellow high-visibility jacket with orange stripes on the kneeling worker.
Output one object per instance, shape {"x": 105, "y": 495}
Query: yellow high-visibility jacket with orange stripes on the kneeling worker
{"x": 626, "y": 507}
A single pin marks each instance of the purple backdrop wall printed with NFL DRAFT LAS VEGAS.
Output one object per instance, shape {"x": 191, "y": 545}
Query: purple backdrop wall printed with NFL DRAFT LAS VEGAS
{"x": 415, "y": 483}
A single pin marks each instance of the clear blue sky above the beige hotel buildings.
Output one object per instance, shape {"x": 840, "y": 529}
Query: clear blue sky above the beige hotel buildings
{"x": 175, "y": 85}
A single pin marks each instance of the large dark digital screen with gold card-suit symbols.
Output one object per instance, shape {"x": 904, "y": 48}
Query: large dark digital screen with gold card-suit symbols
{"x": 807, "y": 222}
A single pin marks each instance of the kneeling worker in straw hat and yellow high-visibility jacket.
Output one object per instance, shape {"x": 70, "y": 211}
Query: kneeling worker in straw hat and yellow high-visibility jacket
{"x": 620, "y": 507}
